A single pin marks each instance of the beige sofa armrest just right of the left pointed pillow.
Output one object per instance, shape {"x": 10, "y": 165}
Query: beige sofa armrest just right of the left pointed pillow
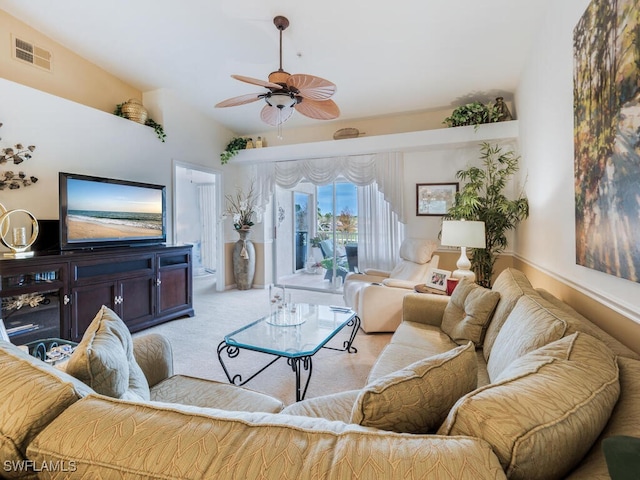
{"x": 154, "y": 355}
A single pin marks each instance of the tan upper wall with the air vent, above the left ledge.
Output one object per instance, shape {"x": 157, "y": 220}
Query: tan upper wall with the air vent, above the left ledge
{"x": 71, "y": 77}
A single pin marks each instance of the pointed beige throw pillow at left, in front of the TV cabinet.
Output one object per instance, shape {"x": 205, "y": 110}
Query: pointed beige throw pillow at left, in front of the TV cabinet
{"x": 104, "y": 359}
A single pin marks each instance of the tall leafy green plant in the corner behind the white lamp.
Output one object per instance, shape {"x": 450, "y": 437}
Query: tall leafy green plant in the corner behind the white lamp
{"x": 482, "y": 198}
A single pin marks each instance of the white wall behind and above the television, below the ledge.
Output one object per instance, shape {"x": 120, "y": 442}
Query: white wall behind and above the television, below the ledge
{"x": 72, "y": 137}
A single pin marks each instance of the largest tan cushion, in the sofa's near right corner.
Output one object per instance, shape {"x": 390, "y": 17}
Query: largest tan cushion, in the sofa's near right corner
{"x": 543, "y": 413}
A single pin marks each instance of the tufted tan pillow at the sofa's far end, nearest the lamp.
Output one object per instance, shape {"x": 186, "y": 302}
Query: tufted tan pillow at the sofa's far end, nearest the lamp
{"x": 468, "y": 312}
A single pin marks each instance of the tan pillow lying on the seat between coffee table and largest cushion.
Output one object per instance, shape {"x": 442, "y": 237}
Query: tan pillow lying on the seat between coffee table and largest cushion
{"x": 417, "y": 398}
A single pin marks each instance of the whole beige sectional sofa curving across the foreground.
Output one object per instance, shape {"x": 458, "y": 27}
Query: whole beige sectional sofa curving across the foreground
{"x": 508, "y": 383}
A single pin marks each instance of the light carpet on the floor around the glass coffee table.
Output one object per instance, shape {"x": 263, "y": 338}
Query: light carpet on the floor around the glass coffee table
{"x": 195, "y": 341}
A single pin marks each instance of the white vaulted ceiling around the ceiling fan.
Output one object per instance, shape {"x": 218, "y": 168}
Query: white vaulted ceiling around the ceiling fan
{"x": 385, "y": 57}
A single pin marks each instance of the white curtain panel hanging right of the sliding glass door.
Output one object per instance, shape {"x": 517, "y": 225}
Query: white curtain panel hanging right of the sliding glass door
{"x": 380, "y": 236}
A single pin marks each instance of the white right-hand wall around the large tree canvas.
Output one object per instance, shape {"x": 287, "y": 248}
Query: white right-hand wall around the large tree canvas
{"x": 544, "y": 101}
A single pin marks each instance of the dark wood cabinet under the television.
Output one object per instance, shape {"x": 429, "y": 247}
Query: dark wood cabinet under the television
{"x": 57, "y": 294}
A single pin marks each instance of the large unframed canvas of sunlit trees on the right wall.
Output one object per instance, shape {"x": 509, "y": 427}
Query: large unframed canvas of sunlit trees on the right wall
{"x": 607, "y": 137}
